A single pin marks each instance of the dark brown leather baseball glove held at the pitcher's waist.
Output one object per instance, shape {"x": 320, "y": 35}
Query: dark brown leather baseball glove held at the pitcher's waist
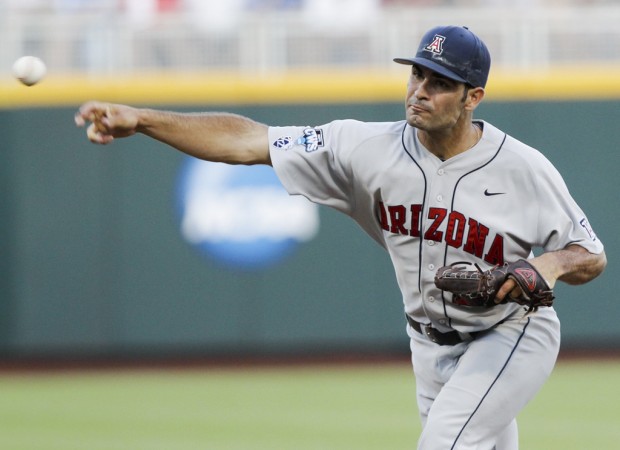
{"x": 478, "y": 288}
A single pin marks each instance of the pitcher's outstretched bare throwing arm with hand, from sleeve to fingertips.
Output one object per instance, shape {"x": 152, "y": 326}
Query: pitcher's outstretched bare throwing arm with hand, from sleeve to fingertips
{"x": 219, "y": 137}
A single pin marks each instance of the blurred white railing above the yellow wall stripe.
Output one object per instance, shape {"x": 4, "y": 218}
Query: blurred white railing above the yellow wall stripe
{"x": 260, "y": 43}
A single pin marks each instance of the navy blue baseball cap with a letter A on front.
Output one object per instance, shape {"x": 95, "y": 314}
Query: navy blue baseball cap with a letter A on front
{"x": 454, "y": 52}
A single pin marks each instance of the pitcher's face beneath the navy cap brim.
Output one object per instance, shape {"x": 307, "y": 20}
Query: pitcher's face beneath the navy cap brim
{"x": 434, "y": 102}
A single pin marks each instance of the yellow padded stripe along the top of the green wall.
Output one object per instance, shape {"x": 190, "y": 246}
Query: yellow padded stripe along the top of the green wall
{"x": 357, "y": 86}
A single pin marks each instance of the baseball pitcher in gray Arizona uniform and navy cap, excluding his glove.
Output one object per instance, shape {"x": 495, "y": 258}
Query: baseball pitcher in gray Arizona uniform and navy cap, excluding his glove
{"x": 436, "y": 188}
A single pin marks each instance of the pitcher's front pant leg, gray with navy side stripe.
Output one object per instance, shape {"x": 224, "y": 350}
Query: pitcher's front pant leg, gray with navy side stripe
{"x": 494, "y": 379}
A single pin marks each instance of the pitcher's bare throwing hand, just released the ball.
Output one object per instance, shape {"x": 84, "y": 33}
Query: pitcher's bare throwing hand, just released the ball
{"x": 108, "y": 121}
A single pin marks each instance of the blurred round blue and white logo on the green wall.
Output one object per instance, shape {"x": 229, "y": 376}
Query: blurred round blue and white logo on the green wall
{"x": 241, "y": 216}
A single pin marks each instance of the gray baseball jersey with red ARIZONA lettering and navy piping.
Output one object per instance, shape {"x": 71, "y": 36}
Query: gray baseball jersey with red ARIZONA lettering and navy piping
{"x": 491, "y": 204}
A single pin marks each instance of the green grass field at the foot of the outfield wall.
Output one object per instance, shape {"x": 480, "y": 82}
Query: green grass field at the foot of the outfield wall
{"x": 359, "y": 407}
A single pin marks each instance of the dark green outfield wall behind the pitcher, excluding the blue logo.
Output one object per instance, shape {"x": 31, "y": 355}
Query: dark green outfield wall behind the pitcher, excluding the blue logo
{"x": 94, "y": 264}
